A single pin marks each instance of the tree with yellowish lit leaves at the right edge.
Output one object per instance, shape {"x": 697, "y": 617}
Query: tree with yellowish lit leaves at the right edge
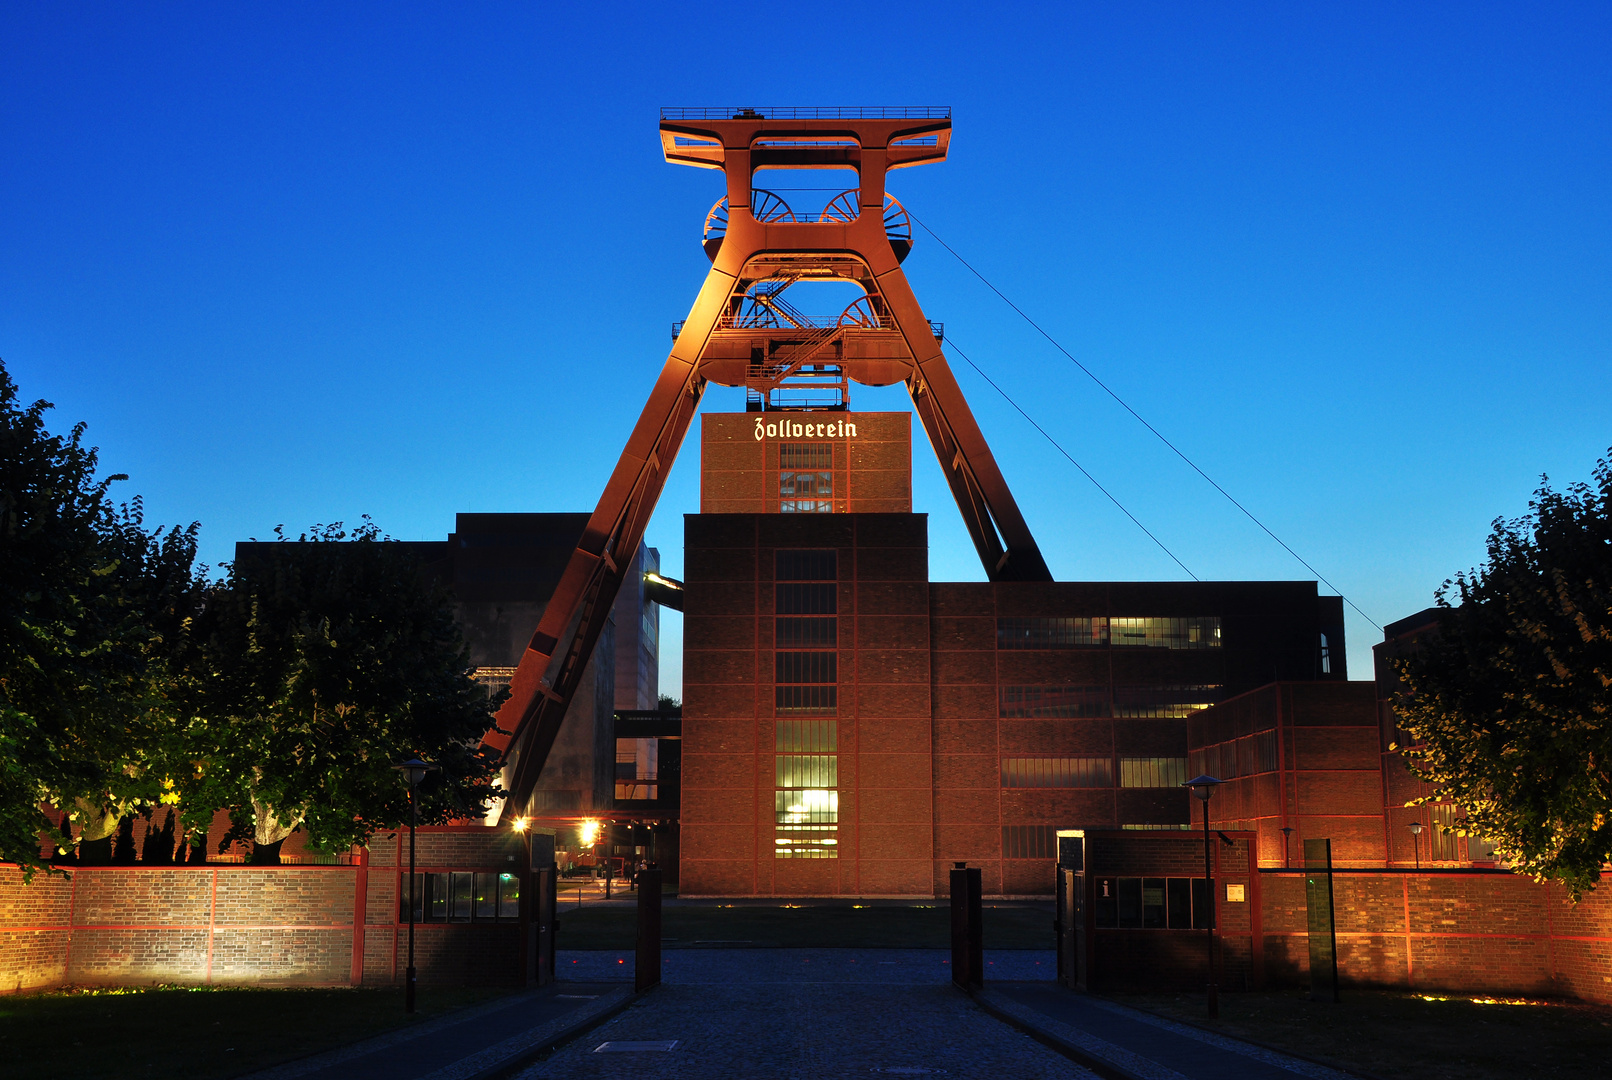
{"x": 1511, "y": 700}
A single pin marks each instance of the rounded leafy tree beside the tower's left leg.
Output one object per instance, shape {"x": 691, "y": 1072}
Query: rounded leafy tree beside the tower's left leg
{"x": 331, "y": 660}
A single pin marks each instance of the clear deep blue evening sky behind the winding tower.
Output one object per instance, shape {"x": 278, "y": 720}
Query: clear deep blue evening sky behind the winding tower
{"x": 299, "y": 264}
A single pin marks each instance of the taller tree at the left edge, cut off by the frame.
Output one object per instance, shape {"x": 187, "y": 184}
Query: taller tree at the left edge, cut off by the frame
{"x": 93, "y": 610}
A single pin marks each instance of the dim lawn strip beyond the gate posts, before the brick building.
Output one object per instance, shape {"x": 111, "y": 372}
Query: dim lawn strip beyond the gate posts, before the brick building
{"x": 816, "y": 926}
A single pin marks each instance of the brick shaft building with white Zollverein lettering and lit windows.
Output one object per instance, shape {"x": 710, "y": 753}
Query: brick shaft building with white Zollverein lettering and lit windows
{"x": 852, "y": 728}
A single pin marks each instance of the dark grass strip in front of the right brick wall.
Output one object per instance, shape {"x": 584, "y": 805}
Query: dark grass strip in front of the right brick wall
{"x": 1410, "y": 1037}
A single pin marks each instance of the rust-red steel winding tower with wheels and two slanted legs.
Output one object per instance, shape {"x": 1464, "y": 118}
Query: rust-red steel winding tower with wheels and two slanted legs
{"x": 746, "y": 333}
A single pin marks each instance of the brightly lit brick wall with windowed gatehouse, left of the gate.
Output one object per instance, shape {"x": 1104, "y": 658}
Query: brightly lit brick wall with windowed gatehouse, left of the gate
{"x": 285, "y": 926}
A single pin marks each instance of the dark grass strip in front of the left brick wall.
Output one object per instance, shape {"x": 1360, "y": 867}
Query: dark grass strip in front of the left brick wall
{"x": 165, "y": 1032}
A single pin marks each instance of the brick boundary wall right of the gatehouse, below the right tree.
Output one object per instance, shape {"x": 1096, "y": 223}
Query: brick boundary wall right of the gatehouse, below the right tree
{"x": 1447, "y": 931}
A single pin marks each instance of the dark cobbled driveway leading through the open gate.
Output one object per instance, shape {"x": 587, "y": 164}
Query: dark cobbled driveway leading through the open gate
{"x": 820, "y": 1015}
